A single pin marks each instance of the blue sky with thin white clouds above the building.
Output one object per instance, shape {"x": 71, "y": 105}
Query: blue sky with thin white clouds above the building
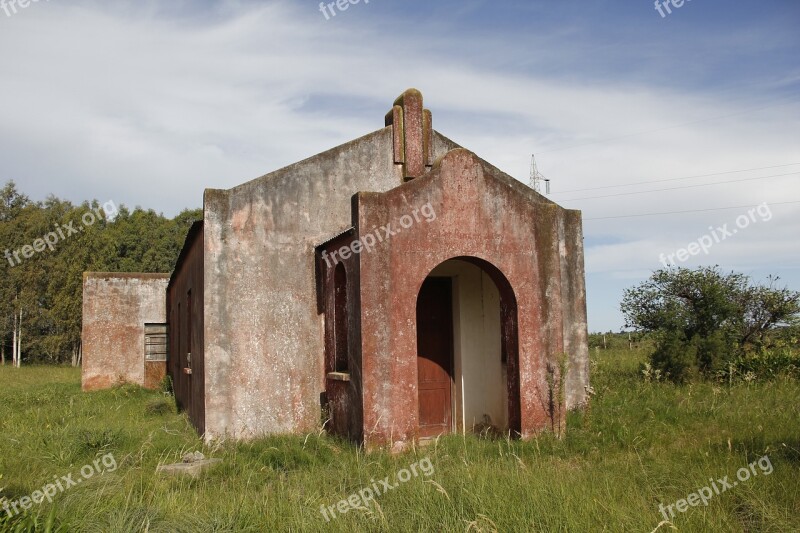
{"x": 148, "y": 103}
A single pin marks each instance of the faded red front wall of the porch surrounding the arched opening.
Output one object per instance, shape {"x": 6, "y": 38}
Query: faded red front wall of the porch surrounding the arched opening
{"x": 484, "y": 214}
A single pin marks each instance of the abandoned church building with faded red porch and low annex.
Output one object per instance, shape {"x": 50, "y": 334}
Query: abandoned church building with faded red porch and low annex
{"x": 397, "y": 287}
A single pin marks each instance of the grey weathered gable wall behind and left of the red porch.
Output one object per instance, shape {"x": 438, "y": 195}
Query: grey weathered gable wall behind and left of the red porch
{"x": 264, "y": 340}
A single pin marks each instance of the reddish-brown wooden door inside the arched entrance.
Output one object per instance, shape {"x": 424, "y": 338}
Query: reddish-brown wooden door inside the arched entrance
{"x": 435, "y": 356}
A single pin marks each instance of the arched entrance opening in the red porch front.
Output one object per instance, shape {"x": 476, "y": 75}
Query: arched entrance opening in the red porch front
{"x": 467, "y": 355}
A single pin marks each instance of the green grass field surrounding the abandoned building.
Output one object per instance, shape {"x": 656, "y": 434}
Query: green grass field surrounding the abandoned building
{"x": 640, "y": 445}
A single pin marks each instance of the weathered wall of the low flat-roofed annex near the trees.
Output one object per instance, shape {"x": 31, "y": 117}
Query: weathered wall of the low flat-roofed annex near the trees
{"x": 115, "y": 309}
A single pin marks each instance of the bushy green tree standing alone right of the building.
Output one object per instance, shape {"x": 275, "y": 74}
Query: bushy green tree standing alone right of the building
{"x": 703, "y": 319}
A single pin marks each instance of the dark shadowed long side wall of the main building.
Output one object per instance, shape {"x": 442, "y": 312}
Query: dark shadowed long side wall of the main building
{"x": 185, "y": 309}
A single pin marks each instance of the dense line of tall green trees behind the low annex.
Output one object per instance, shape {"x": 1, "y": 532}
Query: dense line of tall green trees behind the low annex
{"x": 46, "y": 248}
